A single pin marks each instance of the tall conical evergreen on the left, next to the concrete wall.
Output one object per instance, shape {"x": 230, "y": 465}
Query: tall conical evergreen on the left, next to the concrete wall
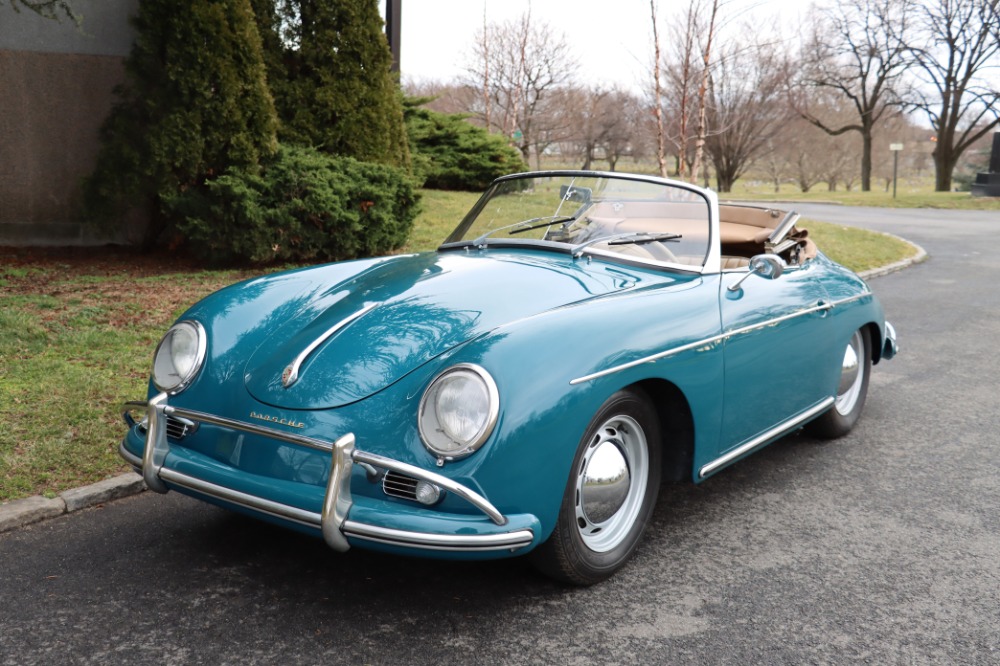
{"x": 194, "y": 103}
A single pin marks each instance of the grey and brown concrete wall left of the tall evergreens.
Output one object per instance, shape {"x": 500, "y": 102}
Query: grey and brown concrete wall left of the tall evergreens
{"x": 56, "y": 83}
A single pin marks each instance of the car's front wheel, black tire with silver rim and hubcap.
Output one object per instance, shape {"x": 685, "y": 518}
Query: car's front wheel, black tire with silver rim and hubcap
{"x": 602, "y": 518}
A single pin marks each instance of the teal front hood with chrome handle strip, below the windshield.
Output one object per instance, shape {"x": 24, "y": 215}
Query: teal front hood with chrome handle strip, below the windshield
{"x": 365, "y": 333}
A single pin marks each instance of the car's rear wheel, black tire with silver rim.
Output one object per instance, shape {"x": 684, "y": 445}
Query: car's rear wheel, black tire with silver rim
{"x": 851, "y": 394}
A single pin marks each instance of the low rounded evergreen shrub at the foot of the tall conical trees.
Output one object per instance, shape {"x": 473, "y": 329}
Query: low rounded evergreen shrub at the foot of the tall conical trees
{"x": 302, "y": 206}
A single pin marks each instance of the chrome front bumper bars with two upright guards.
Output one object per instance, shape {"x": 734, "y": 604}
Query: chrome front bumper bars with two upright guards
{"x": 333, "y": 521}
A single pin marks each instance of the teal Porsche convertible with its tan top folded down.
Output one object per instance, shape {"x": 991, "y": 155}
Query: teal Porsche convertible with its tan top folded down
{"x": 579, "y": 339}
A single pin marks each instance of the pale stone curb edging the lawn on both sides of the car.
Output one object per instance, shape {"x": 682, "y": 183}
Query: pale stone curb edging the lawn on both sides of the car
{"x": 19, "y": 513}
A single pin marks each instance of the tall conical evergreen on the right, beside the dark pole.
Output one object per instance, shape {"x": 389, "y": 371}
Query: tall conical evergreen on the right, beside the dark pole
{"x": 332, "y": 82}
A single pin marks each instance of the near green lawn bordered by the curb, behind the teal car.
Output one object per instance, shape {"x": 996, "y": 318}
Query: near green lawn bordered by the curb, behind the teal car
{"x": 77, "y": 337}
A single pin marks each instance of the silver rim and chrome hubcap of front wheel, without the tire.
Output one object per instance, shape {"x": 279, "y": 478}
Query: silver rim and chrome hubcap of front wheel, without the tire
{"x": 611, "y": 483}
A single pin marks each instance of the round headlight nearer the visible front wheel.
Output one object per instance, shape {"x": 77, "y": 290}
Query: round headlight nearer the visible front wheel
{"x": 458, "y": 411}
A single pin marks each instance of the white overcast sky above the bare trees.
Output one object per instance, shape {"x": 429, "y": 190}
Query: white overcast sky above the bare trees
{"x": 611, "y": 38}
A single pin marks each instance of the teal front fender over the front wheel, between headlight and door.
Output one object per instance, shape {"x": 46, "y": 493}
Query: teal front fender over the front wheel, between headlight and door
{"x": 555, "y": 370}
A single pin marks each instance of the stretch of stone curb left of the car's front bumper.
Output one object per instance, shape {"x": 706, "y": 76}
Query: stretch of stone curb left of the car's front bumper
{"x": 19, "y": 513}
